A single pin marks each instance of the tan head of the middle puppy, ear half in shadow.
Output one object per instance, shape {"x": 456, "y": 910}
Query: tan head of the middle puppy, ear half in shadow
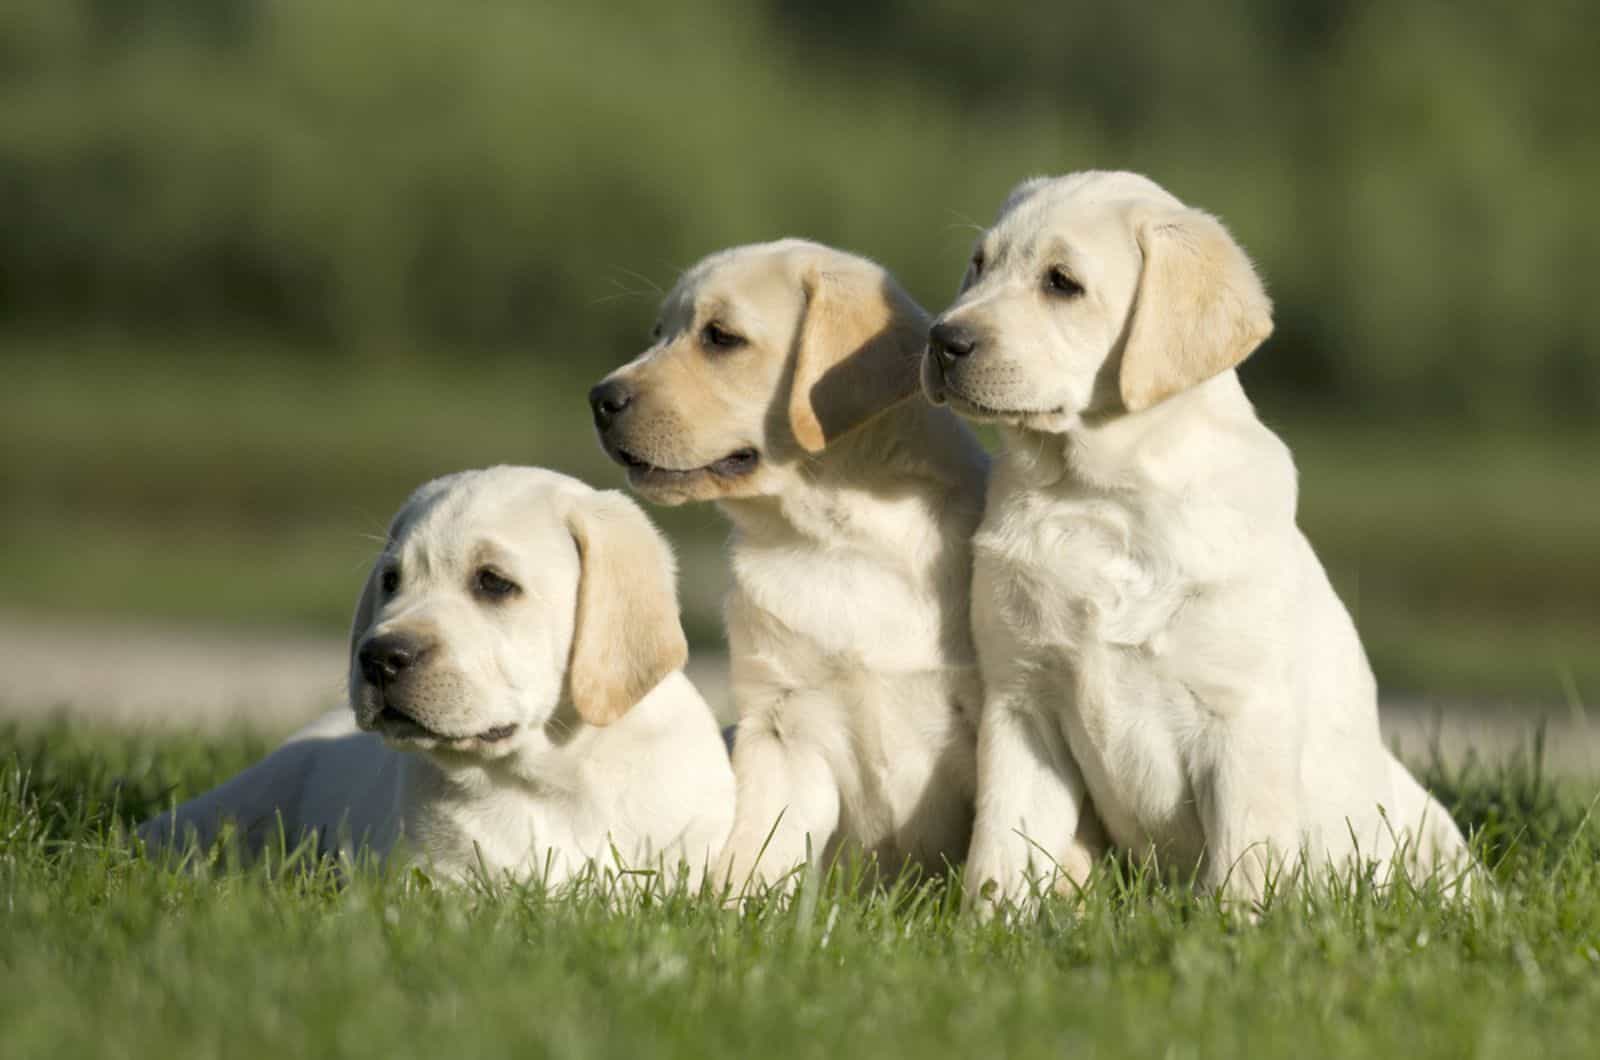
{"x": 761, "y": 358}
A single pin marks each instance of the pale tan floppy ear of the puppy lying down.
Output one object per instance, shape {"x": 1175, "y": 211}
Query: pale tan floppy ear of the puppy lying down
{"x": 628, "y": 636}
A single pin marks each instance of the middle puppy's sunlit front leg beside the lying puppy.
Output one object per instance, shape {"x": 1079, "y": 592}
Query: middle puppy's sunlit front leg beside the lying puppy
{"x": 788, "y": 805}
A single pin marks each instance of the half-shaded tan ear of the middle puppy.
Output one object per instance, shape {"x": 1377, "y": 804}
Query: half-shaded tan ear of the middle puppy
{"x": 858, "y": 353}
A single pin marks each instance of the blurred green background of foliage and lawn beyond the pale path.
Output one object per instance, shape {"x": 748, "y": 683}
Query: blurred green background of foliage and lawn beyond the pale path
{"x": 266, "y": 265}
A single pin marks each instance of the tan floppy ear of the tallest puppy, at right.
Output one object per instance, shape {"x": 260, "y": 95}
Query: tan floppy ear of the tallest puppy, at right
{"x": 1201, "y": 308}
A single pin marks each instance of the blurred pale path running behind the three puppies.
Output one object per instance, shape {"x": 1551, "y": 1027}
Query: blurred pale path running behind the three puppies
{"x": 191, "y": 678}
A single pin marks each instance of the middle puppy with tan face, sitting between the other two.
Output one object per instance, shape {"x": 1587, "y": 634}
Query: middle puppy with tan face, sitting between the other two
{"x": 782, "y": 385}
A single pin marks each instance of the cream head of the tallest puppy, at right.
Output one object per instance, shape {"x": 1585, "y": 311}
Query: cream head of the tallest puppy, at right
{"x": 1094, "y": 294}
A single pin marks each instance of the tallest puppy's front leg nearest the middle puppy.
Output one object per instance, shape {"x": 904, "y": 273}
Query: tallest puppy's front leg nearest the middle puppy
{"x": 1034, "y": 825}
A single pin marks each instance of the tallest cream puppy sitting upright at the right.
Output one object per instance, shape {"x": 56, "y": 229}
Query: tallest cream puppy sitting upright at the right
{"x": 1151, "y": 624}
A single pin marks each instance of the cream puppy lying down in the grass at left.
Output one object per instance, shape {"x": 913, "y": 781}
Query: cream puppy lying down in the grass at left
{"x": 518, "y": 701}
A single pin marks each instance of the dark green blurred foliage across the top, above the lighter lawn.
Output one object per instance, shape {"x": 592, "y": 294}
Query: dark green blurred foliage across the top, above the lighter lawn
{"x": 378, "y": 179}
